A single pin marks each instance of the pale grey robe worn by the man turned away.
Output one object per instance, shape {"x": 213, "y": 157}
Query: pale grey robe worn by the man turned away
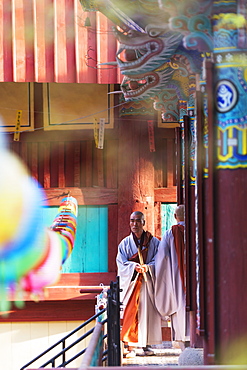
{"x": 169, "y": 293}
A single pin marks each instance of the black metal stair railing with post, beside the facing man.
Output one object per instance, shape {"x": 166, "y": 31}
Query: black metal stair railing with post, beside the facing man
{"x": 111, "y": 356}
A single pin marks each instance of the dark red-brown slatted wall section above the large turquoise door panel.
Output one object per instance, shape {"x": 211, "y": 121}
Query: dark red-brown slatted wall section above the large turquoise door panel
{"x": 71, "y": 164}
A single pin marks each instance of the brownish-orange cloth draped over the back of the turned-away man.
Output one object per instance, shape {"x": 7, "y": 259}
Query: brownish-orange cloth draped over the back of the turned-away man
{"x": 178, "y": 234}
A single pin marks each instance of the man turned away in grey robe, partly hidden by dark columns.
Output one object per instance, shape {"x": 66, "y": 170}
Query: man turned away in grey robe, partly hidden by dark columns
{"x": 170, "y": 289}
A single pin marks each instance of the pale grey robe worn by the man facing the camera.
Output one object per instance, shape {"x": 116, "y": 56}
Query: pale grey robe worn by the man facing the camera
{"x": 149, "y": 326}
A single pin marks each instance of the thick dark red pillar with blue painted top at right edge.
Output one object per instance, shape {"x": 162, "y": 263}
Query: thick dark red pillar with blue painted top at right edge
{"x": 230, "y": 178}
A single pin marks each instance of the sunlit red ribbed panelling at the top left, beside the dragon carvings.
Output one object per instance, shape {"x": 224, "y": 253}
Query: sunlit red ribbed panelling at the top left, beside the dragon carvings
{"x": 47, "y": 41}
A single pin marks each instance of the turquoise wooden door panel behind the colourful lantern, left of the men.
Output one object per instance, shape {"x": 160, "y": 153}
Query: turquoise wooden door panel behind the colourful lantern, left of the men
{"x": 90, "y": 253}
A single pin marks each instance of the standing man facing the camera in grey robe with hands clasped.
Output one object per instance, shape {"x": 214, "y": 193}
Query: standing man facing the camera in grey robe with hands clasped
{"x": 135, "y": 261}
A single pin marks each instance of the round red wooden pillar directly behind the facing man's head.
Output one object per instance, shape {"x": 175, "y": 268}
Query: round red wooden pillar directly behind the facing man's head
{"x": 136, "y": 174}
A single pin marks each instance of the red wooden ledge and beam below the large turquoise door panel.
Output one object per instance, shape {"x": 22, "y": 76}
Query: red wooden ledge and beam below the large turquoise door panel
{"x": 63, "y": 301}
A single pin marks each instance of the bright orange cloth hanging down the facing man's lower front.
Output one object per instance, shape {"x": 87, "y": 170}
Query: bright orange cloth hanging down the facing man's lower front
{"x": 129, "y": 332}
